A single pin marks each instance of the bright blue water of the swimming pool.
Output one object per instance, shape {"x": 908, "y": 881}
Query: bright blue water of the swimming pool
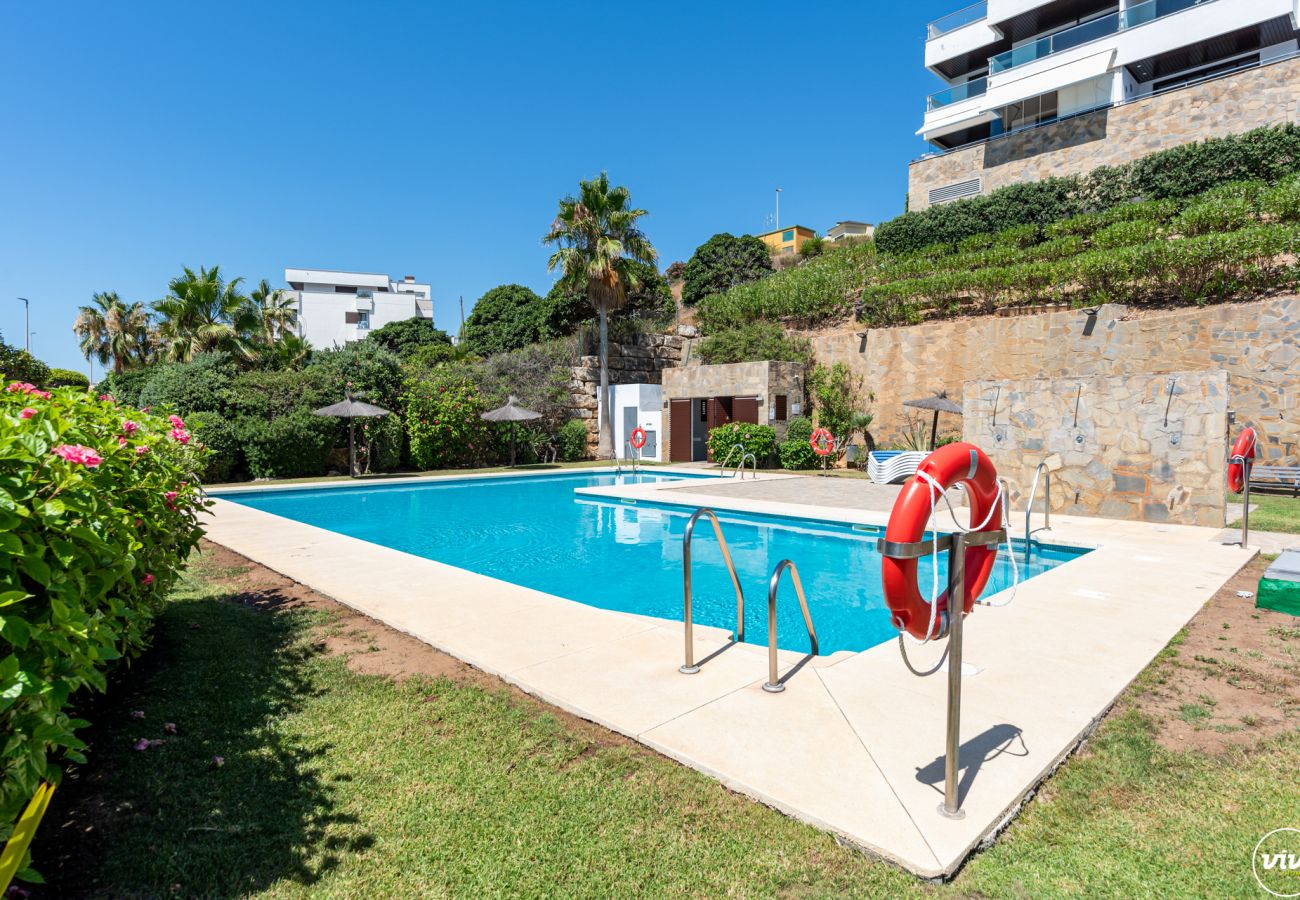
{"x": 534, "y": 531}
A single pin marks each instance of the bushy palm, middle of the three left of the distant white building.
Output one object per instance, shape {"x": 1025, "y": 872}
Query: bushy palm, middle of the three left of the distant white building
{"x": 205, "y": 313}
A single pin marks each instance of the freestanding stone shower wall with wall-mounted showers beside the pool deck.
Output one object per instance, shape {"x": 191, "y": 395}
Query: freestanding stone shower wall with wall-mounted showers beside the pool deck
{"x": 1150, "y": 447}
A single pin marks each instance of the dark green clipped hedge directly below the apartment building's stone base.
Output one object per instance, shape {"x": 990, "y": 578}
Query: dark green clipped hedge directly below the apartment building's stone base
{"x": 1267, "y": 154}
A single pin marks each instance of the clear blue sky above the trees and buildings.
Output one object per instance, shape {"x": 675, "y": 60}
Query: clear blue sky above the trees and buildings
{"x": 427, "y": 140}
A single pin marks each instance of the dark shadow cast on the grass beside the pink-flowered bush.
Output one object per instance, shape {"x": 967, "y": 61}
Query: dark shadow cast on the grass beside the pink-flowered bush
{"x": 233, "y": 802}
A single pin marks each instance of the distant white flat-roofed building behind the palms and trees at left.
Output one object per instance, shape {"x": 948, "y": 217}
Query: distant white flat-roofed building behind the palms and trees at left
{"x": 339, "y": 308}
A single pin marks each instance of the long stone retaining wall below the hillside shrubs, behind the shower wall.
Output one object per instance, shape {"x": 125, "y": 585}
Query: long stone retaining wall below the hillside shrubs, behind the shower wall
{"x": 1258, "y": 344}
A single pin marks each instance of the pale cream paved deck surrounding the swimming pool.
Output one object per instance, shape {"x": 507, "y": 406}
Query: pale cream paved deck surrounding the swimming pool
{"x": 856, "y": 743}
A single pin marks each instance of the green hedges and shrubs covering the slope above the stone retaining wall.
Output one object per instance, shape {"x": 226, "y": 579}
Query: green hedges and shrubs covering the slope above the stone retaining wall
{"x": 1082, "y": 246}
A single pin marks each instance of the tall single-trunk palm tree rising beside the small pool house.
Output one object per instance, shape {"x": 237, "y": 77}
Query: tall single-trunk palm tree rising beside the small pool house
{"x": 599, "y": 240}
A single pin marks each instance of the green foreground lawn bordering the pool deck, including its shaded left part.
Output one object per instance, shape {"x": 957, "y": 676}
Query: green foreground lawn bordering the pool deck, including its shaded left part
{"x": 344, "y": 785}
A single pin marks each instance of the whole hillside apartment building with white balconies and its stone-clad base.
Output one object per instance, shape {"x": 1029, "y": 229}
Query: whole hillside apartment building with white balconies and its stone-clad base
{"x": 1060, "y": 88}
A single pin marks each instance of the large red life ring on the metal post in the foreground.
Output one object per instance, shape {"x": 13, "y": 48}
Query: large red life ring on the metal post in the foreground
{"x": 951, "y": 465}
